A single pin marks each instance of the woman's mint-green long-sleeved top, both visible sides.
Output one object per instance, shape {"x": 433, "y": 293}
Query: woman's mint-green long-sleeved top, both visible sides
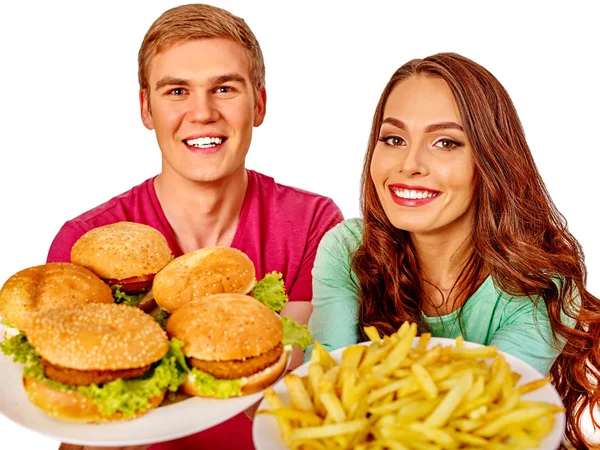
{"x": 489, "y": 317}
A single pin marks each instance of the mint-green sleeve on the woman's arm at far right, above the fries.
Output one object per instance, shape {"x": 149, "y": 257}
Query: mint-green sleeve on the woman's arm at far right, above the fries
{"x": 526, "y": 333}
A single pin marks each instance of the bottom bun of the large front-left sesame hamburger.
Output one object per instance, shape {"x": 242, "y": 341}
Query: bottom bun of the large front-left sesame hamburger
{"x": 73, "y": 406}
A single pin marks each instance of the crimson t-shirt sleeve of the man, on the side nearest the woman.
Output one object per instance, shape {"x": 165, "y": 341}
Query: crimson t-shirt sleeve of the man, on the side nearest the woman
{"x": 326, "y": 217}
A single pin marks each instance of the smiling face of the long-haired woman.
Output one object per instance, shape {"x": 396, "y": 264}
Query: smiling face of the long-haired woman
{"x": 422, "y": 166}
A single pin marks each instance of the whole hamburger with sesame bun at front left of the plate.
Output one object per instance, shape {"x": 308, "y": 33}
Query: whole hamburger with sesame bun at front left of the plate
{"x": 95, "y": 362}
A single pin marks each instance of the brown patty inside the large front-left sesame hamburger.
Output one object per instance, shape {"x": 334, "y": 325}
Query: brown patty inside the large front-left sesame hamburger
{"x": 87, "y": 377}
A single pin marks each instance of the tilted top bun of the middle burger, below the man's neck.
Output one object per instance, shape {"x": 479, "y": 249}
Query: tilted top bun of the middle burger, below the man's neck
{"x": 206, "y": 271}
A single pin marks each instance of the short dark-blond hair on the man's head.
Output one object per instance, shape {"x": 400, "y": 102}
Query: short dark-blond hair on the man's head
{"x": 198, "y": 21}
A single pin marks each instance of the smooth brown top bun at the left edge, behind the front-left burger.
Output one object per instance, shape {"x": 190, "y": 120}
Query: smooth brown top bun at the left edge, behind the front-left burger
{"x": 48, "y": 286}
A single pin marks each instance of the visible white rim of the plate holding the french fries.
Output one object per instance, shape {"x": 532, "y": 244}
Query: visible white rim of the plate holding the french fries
{"x": 266, "y": 435}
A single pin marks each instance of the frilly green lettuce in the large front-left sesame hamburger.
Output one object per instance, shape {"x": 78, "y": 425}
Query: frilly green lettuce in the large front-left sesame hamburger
{"x": 124, "y": 396}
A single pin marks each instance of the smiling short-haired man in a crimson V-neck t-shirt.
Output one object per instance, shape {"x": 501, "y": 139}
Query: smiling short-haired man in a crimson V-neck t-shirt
{"x": 202, "y": 90}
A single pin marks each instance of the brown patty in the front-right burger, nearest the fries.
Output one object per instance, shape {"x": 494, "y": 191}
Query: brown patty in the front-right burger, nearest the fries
{"x": 230, "y": 370}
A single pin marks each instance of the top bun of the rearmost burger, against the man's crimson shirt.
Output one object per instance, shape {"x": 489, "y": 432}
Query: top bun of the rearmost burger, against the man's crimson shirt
{"x": 122, "y": 250}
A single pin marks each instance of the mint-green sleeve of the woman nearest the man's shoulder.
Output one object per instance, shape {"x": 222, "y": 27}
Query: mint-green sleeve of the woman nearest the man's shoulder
{"x": 333, "y": 322}
